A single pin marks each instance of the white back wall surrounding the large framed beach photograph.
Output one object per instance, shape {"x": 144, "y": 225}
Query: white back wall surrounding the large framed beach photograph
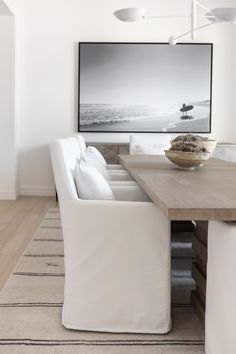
{"x": 47, "y": 34}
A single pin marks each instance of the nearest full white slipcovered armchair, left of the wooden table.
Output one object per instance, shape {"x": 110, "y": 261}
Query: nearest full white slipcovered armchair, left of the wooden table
{"x": 117, "y": 256}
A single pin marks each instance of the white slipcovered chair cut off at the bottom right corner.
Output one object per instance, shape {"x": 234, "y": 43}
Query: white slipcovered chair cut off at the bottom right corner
{"x": 221, "y": 288}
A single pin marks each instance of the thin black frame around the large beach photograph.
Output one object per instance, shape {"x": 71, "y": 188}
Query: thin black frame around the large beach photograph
{"x": 145, "y": 131}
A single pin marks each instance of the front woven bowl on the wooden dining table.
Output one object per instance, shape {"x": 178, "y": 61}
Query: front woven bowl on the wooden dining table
{"x": 187, "y": 160}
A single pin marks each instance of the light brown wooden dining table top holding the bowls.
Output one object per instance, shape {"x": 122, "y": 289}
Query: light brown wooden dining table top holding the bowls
{"x": 206, "y": 193}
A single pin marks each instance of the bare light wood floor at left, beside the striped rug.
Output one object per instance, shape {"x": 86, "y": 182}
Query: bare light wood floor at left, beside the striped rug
{"x": 19, "y": 220}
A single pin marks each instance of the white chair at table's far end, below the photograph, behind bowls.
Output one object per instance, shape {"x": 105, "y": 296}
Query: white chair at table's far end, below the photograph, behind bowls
{"x": 149, "y": 144}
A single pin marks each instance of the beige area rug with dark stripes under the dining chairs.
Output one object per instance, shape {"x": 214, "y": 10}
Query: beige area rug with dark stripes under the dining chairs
{"x": 31, "y": 305}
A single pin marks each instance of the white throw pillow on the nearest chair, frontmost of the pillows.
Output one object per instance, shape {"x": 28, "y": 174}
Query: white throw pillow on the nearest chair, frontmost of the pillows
{"x": 91, "y": 184}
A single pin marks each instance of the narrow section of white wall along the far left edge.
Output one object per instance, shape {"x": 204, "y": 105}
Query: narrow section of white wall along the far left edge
{"x": 7, "y": 114}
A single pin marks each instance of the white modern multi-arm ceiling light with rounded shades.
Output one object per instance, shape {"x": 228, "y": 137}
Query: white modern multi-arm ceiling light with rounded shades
{"x": 216, "y": 15}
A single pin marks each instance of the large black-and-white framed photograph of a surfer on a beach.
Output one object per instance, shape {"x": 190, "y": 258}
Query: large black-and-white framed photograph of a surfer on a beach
{"x": 145, "y": 87}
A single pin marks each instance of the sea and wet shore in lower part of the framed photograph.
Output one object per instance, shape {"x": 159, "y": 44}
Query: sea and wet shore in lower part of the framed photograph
{"x": 111, "y": 117}
